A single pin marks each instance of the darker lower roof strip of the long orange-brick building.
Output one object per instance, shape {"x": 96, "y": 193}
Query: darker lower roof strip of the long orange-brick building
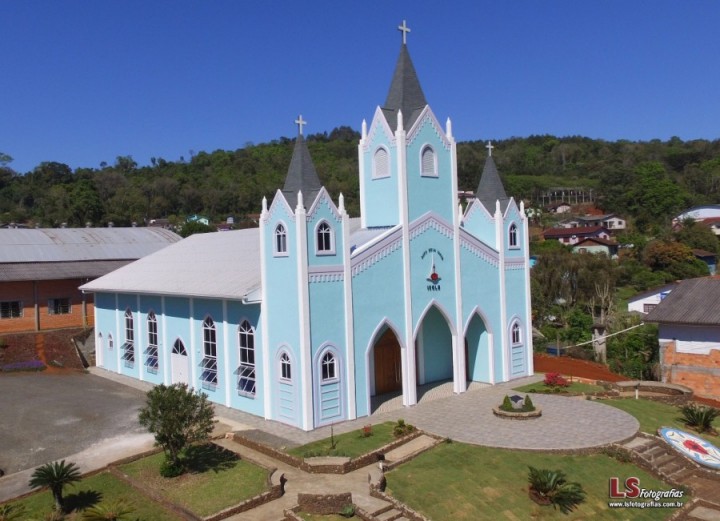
{"x": 58, "y": 270}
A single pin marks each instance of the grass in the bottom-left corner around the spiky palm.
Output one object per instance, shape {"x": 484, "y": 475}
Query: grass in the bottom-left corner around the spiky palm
{"x": 94, "y": 490}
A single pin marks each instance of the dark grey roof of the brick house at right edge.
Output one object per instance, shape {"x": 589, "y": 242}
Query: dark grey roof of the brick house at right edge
{"x": 692, "y": 302}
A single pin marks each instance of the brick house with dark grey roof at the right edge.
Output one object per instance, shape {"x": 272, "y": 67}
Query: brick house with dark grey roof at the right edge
{"x": 689, "y": 334}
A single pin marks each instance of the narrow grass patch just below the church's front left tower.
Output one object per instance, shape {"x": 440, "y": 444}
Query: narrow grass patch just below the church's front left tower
{"x": 351, "y": 444}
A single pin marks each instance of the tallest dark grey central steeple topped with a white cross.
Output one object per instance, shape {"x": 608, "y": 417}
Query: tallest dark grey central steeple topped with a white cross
{"x": 405, "y": 92}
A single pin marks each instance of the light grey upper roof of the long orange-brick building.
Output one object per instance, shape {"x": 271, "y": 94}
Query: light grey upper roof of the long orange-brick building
{"x": 81, "y": 244}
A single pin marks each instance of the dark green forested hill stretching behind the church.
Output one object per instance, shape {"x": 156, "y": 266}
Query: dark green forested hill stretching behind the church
{"x": 646, "y": 181}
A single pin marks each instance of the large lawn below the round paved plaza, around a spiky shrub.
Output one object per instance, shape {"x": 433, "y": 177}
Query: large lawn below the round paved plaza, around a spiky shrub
{"x": 465, "y": 482}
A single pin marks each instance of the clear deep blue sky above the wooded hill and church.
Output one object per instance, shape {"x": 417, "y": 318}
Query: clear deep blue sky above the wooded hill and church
{"x": 87, "y": 81}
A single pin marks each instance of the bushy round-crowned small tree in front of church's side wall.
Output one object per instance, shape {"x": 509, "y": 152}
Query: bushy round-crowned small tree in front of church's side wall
{"x": 178, "y": 417}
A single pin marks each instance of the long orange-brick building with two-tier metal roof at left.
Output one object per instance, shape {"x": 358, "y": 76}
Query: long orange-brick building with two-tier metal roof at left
{"x": 41, "y": 270}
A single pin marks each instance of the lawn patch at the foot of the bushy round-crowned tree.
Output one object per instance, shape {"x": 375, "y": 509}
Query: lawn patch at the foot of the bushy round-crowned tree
{"x": 217, "y": 479}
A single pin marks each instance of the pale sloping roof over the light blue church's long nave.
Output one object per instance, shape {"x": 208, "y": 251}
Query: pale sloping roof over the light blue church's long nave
{"x": 213, "y": 265}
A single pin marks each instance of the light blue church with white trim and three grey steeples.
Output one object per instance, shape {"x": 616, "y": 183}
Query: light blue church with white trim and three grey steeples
{"x": 307, "y": 318}
